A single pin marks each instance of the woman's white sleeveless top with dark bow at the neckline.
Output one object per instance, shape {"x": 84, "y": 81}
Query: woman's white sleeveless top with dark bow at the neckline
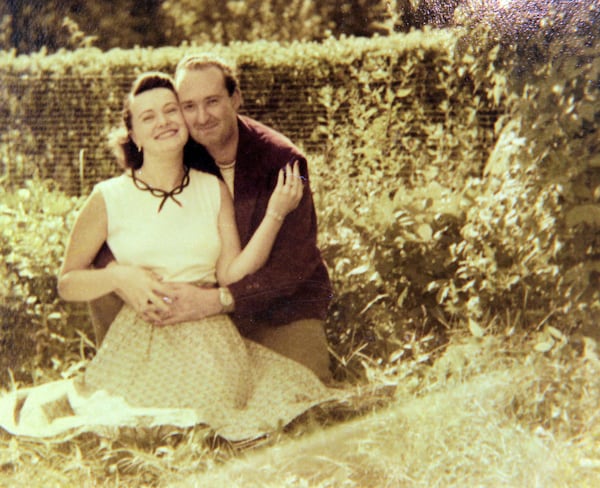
{"x": 178, "y": 243}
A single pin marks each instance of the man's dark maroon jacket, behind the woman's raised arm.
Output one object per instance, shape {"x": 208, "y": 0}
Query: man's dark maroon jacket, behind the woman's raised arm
{"x": 294, "y": 283}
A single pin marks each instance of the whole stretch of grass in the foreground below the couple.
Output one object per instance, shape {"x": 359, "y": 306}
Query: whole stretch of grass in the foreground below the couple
{"x": 491, "y": 411}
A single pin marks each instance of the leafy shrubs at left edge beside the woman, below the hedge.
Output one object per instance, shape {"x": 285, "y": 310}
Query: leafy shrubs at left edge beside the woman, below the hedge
{"x": 39, "y": 332}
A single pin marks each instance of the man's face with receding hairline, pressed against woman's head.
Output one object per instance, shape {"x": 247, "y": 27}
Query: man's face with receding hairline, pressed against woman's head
{"x": 209, "y": 111}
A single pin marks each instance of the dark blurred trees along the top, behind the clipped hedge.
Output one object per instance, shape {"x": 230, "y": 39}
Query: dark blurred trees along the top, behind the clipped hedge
{"x": 53, "y": 25}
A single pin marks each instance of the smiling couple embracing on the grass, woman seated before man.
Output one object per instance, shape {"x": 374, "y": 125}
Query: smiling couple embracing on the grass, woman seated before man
{"x": 209, "y": 240}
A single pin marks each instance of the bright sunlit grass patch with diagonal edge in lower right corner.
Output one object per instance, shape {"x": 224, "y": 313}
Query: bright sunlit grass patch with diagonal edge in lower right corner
{"x": 461, "y": 427}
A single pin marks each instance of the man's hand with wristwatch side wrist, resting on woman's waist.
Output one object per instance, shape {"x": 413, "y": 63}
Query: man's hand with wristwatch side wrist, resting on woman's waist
{"x": 189, "y": 302}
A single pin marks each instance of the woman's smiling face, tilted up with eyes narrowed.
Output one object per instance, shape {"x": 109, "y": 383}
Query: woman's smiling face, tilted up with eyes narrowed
{"x": 157, "y": 124}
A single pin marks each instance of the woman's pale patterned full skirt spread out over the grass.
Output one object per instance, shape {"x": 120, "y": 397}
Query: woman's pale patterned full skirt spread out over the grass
{"x": 200, "y": 372}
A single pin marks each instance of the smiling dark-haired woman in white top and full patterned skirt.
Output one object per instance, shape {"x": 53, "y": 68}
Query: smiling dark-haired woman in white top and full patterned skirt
{"x": 164, "y": 220}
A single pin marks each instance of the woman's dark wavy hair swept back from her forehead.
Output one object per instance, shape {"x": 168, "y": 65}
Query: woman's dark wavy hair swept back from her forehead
{"x": 120, "y": 140}
